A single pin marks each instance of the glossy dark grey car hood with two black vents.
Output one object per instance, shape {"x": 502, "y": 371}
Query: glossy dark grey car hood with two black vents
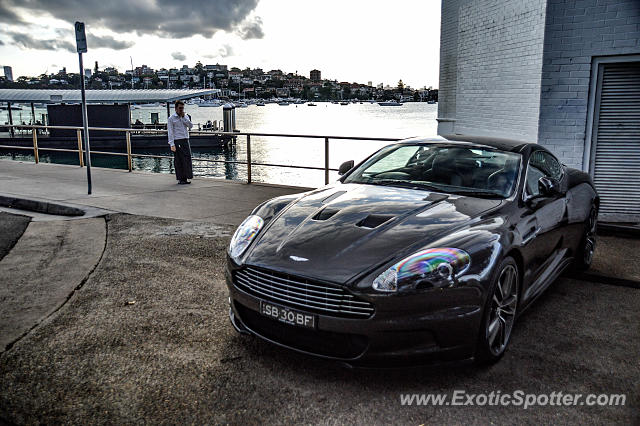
{"x": 343, "y": 230}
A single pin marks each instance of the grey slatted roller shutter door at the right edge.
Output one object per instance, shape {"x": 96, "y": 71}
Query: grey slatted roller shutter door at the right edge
{"x": 616, "y": 170}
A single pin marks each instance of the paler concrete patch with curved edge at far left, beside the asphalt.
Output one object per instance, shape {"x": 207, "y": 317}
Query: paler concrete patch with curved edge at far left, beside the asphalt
{"x": 42, "y": 270}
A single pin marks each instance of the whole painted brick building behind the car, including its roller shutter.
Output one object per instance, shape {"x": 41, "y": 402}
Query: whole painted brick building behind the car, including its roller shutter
{"x": 563, "y": 74}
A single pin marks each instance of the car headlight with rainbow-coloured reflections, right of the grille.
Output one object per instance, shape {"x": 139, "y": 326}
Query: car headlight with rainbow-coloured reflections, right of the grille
{"x": 437, "y": 267}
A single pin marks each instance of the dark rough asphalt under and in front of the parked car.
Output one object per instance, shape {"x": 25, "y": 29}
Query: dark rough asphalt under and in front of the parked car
{"x": 146, "y": 338}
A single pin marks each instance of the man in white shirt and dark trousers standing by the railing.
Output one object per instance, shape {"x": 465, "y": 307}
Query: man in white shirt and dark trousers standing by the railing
{"x": 178, "y": 126}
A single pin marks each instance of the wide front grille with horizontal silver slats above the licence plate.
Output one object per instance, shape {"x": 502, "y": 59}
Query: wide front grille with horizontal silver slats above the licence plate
{"x": 301, "y": 293}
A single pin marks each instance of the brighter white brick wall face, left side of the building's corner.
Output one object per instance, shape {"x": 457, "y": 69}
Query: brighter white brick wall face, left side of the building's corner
{"x": 490, "y": 67}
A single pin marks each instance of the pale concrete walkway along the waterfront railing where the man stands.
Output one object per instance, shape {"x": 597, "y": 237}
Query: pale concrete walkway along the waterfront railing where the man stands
{"x": 141, "y": 193}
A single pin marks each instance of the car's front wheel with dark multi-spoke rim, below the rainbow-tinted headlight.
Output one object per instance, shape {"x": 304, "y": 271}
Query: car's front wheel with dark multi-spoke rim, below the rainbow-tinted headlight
{"x": 499, "y": 313}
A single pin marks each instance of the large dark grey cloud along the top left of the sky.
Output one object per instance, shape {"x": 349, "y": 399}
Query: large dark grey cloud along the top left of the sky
{"x": 164, "y": 18}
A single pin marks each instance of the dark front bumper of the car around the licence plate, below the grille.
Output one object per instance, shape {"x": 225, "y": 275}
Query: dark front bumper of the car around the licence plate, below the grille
{"x": 429, "y": 326}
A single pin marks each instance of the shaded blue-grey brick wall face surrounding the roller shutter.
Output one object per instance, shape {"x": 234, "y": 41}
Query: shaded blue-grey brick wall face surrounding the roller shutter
{"x": 576, "y": 32}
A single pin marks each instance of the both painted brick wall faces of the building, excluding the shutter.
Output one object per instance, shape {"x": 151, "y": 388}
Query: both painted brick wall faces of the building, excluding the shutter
{"x": 522, "y": 68}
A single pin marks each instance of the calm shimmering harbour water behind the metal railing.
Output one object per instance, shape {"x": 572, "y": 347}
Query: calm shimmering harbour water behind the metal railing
{"x": 362, "y": 120}
